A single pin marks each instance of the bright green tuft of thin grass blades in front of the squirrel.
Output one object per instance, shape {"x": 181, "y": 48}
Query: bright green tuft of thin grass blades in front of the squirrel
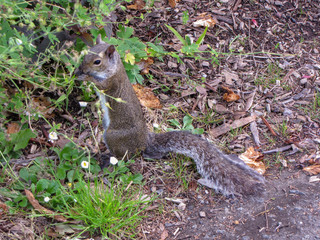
{"x": 115, "y": 211}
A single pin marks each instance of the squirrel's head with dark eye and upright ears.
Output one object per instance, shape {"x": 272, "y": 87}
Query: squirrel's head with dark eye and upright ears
{"x": 99, "y": 65}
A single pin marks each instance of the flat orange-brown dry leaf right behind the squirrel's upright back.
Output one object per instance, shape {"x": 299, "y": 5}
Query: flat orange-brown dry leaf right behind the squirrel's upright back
{"x": 146, "y": 97}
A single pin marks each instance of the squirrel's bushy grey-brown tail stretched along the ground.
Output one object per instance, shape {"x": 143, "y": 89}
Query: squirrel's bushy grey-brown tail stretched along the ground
{"x": 226, "y": 174}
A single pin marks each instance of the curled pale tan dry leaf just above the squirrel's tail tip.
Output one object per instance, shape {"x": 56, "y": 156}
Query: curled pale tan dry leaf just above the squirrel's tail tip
{"x": 252, "y": 159}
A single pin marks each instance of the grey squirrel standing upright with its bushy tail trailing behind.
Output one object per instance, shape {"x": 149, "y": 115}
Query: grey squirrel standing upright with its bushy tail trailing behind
{"x": 125, "y": 128}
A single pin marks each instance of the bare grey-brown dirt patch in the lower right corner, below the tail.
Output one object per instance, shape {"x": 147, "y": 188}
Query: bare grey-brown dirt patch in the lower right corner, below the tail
{"x": 290, "y": 209}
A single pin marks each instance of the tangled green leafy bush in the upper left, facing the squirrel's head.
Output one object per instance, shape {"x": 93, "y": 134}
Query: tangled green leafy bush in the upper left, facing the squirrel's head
{"x": 30, "y": 33}
